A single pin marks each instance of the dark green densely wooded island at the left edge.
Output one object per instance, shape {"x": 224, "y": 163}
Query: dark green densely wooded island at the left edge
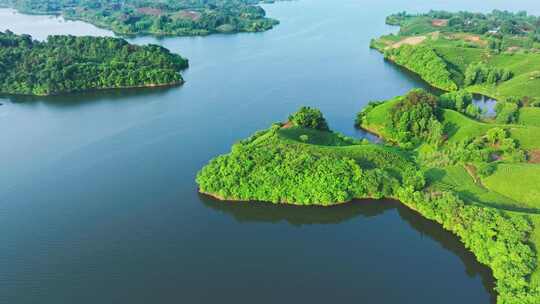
{"x": 66, "y": 64}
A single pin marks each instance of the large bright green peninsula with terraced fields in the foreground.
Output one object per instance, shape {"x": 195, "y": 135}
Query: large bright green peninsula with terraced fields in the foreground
{"x": 438, "y": 161}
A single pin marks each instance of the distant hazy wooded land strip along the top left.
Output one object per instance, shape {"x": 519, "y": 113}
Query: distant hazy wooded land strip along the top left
{"x": 158, "y": 17}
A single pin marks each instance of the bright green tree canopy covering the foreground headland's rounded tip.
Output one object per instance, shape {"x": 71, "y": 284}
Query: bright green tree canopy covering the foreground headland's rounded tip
{"x": 268, "y": 168}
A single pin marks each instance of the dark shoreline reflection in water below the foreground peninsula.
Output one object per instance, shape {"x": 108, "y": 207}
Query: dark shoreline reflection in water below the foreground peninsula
{"x": 253, "y": 212}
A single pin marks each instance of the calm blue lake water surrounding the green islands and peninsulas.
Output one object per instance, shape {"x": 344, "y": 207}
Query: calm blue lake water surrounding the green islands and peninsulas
{"x": 98, "y": 202}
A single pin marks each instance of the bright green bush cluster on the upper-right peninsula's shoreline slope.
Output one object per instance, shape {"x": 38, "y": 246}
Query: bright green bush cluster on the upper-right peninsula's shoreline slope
{"x": 424, "y": 61}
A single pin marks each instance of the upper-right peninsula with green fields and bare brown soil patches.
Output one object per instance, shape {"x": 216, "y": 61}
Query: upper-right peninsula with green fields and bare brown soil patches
{"x": 495, "y": 54}
